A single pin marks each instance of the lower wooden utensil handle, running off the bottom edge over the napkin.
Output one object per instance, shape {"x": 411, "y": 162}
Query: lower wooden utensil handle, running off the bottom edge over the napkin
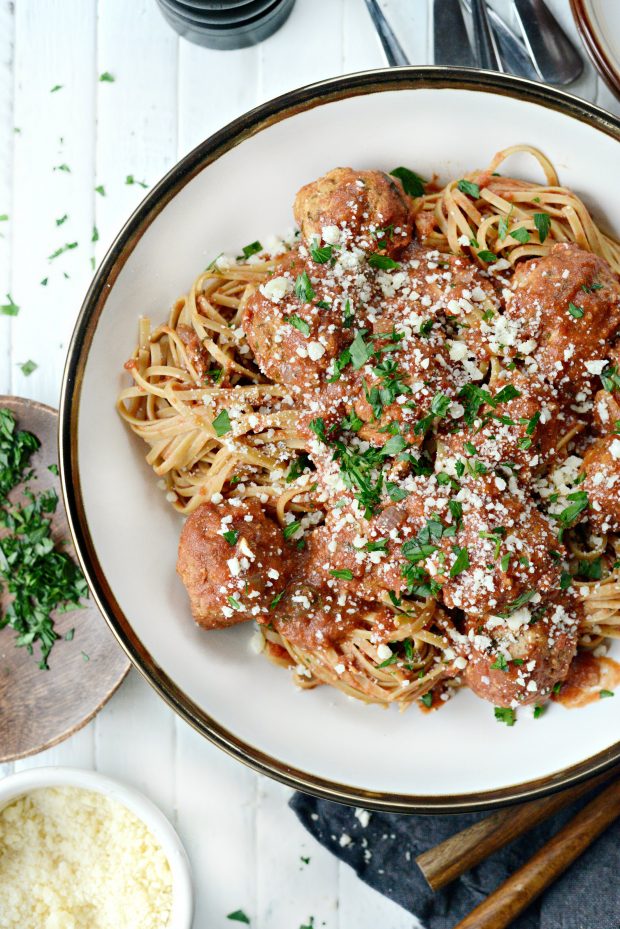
{"x": 515, "y": 895}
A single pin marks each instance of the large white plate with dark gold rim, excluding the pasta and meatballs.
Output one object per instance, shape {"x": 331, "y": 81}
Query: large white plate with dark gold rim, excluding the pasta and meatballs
{"x": 235, "y": 187}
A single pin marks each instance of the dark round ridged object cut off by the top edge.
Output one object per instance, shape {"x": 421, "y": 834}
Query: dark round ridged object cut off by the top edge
{"x": 225, "y": 24}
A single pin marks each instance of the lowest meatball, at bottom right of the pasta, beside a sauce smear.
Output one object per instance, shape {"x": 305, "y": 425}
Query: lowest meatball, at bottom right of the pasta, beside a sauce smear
{"x": 519, "y": 660}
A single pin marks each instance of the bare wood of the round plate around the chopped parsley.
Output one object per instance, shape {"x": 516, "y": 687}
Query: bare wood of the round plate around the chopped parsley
{"x": 39, "y": 708}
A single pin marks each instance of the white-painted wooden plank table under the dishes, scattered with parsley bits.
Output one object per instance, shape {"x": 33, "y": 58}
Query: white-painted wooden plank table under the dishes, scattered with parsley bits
{"x": 56, "y": 149}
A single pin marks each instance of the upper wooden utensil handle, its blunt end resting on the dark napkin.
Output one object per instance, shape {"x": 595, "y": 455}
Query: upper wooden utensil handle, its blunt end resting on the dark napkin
{"x": 464, "y": 850}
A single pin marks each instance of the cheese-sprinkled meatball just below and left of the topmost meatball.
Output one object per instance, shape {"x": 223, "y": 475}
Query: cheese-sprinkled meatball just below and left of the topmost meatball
{"x": 296, "y": 332}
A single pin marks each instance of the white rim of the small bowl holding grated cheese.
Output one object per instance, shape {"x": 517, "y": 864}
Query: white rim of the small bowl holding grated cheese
{"x": 18, "y": 785}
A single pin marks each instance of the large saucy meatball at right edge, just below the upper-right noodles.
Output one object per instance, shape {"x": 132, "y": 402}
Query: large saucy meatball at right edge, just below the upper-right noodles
{"x": 569, "y": 302}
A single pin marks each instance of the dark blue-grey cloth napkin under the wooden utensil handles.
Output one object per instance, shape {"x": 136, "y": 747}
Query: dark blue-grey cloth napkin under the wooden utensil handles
{"x": 382, "y": 849}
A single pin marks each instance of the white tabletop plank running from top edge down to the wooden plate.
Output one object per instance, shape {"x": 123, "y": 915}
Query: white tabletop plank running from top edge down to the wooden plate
{"x": 56, "y": 130}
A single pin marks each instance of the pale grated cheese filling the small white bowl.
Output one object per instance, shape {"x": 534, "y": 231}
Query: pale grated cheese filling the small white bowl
{"x": 75, "y": 859}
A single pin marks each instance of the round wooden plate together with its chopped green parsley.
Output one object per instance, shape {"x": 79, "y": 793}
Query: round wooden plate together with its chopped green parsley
{"x": 59, "y": 662}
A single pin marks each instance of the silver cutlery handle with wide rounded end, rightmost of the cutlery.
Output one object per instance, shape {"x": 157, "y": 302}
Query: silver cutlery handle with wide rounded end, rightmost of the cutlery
{"x": 554, "y": 55}
